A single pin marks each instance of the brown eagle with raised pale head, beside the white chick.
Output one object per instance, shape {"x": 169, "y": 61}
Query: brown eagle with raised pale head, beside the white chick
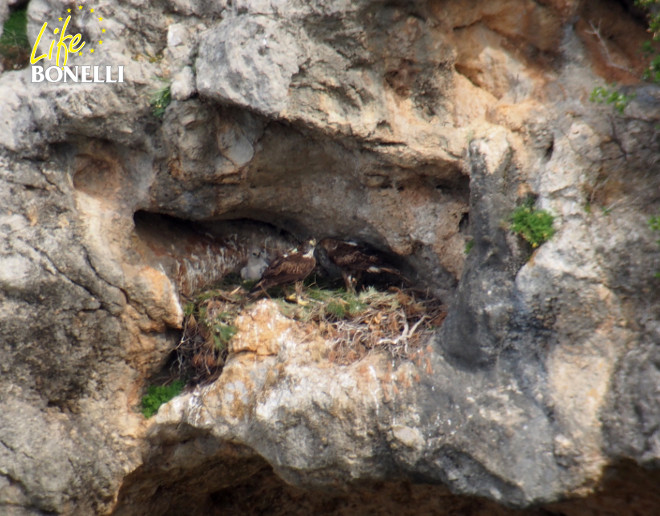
{"x": 290, "y": 267}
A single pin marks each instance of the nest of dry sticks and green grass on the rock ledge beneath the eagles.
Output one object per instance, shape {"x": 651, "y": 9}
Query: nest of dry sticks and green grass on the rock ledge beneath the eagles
{"x": 397, "y": 321}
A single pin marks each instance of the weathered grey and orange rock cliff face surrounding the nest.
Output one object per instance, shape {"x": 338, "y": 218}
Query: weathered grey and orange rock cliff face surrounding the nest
{"x": 412, "y": 126}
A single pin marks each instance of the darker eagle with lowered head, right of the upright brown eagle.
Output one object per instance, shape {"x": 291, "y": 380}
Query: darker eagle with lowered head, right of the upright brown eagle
{"x": 350, "y": 260}
